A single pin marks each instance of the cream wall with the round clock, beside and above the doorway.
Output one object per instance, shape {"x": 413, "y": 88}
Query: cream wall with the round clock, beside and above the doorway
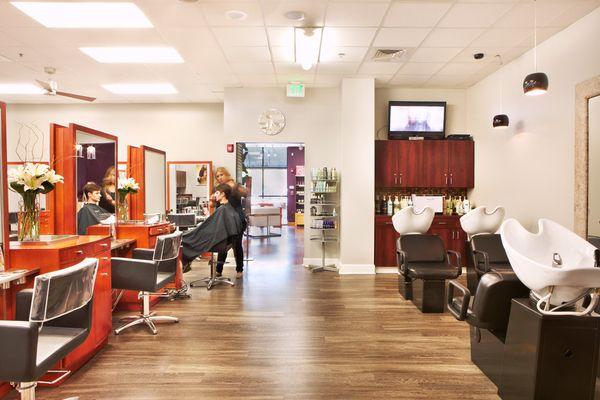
{"x": 313, "y": 120}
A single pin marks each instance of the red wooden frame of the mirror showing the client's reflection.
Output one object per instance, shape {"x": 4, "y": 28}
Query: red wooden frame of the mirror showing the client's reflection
{"x": 62, "y": 201}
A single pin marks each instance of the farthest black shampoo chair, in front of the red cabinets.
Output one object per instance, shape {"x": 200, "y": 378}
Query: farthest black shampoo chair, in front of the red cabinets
{"x": 424, "y": 265}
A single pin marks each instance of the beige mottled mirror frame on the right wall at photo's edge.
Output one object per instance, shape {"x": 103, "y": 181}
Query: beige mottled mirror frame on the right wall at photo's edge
{"x": 584, "y": 91}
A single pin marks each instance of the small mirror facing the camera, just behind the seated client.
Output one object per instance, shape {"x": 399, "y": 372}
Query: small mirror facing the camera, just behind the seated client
{"x": 189, "y": 184}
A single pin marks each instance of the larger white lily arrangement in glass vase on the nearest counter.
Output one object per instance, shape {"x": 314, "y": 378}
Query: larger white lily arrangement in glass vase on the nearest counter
{"x": 30, "y": 180}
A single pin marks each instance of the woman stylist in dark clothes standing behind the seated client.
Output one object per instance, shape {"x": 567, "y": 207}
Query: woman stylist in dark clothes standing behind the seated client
{"x": 237, "y": 192}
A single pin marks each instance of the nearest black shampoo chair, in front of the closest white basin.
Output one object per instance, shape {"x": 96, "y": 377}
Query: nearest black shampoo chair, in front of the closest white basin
{"x": 487, "y": 313}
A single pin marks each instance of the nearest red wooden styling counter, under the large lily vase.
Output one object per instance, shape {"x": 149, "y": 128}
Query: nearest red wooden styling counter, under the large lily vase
{"x": 59, "y": 254}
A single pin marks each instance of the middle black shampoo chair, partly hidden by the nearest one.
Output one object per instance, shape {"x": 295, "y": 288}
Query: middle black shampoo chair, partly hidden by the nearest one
{"x": 487, "y": 253}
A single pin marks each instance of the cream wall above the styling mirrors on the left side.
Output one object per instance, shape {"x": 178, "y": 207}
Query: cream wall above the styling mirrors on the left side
{"x": 185, "y": 131}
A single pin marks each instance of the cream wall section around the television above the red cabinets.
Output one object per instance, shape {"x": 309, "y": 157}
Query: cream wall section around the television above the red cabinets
{"x": 456, "y": 108}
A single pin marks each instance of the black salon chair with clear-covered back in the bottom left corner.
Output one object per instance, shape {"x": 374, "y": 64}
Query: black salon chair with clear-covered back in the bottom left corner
{"x": 52, "y": 319}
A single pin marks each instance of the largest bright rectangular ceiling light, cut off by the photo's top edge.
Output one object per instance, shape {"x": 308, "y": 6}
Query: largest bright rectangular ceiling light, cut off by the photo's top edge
{"x": 84, "y": 15}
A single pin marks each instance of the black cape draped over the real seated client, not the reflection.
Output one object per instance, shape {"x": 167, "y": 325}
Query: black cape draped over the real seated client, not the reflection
{"x": 222, "y": 225}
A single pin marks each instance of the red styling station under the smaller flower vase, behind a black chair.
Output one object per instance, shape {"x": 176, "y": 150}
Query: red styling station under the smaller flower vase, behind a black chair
{"x": 145, "y": 237}
